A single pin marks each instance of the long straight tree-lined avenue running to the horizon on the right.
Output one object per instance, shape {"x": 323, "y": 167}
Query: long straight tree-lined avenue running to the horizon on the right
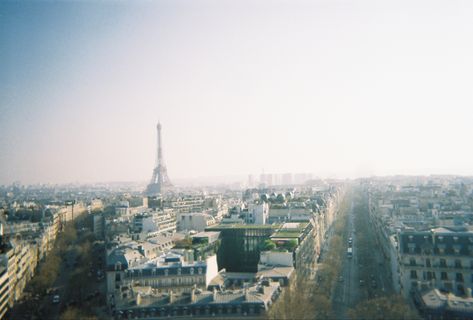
{"x": 344, "y": 287}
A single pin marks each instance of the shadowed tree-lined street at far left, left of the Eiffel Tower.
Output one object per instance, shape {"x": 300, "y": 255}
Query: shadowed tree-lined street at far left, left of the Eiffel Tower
{"x": 69, "y": 283}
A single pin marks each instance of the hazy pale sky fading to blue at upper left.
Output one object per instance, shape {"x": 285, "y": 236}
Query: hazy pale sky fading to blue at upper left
{"x": 331, "y": 87}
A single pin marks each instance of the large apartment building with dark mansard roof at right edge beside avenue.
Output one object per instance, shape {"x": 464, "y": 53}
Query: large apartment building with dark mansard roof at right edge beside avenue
{"x": 439, "y": 258}
